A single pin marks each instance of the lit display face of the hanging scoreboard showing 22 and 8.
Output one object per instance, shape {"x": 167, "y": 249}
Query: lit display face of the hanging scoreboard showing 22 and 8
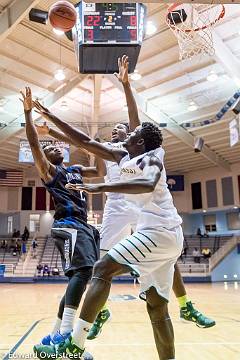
{"x": 110, "y": 23}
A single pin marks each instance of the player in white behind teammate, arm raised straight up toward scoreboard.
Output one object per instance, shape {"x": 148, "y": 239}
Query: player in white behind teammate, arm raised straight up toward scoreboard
{"x": 116, "y": 207}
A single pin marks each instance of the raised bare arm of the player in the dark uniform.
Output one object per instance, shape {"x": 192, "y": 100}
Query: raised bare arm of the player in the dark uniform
{"x": 45, "y": 168}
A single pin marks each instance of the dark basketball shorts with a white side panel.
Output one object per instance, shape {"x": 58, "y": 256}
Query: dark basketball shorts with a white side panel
{"x": 79, "y": 247}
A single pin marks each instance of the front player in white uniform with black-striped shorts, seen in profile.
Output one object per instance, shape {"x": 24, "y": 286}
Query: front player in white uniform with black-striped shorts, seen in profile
{"x": 152, "y": 250}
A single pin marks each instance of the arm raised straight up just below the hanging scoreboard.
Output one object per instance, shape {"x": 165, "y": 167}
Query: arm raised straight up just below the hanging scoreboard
{"x": 131, "y": 102}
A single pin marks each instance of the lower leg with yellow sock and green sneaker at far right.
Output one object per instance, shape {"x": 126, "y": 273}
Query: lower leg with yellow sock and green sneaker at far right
{"x": 187, "y": 310}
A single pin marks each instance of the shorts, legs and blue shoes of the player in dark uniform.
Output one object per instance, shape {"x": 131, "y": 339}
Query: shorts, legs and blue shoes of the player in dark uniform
{"x": 73, "y": 246}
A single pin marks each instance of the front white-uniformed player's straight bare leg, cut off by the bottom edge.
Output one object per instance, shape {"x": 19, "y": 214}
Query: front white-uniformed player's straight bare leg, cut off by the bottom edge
{"x": 157, "y": 308}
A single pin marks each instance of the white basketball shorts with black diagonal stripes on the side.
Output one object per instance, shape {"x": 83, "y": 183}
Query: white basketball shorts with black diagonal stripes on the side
{"x": 152, "y": 253}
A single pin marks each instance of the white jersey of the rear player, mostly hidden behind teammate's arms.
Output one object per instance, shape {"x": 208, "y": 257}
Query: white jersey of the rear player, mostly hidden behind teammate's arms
{"x": 113, "y": 171}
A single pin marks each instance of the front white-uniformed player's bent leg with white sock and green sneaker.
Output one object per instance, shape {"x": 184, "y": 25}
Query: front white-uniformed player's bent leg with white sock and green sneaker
{"x": 95, "y": 298}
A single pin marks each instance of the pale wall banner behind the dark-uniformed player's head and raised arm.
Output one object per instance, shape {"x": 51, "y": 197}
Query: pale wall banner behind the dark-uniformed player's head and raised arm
{"x": 25, "y": 153}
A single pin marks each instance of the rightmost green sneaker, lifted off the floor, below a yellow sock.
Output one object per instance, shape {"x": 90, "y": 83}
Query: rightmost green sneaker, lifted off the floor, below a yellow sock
{"x": 189, "y": 313}
